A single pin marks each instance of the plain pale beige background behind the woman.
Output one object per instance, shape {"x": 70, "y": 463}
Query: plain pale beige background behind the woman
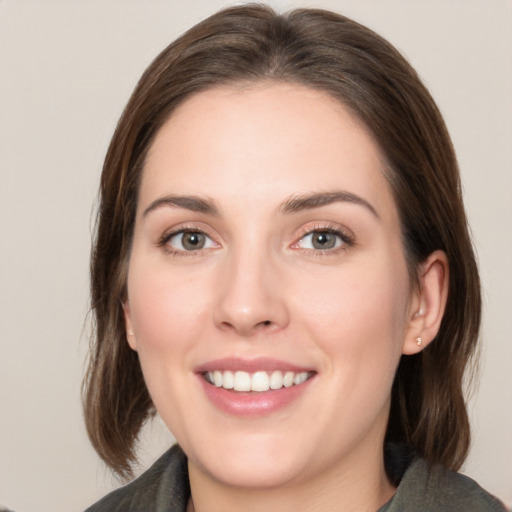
{"x": 66, "y": 70}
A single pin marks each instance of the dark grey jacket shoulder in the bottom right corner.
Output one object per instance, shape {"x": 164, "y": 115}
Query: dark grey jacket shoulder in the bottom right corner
{"x": 424, "y": 488}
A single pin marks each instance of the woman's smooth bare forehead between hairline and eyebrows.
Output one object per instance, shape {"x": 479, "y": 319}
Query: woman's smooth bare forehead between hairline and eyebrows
{"x": 244, "y": 139}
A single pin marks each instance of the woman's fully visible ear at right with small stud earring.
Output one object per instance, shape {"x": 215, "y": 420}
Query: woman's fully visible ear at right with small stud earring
{"x": 428, "y": 303}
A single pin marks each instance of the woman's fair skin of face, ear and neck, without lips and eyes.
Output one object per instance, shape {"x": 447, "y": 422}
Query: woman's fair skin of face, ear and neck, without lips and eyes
{"x": 260, "y": 288}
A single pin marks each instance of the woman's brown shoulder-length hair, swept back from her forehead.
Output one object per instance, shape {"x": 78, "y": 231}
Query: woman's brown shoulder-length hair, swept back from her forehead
{"x": 329, "y": 52}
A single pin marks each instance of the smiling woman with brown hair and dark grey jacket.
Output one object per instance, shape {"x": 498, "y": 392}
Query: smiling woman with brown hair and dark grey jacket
{"x": 274, "y": 274}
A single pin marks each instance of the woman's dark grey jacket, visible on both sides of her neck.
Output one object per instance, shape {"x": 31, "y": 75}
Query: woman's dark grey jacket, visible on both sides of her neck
{"x": 165, "y": 488}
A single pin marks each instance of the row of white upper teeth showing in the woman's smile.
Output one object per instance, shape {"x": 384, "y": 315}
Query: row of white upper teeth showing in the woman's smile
{"x": 259, "y": 381}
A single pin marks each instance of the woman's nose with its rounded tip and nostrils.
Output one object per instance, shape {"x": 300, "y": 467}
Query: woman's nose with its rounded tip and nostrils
{"x": 251, "y": 298}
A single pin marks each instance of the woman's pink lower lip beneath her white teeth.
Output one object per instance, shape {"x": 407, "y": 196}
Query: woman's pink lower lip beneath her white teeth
{"x": 254, "y": 403}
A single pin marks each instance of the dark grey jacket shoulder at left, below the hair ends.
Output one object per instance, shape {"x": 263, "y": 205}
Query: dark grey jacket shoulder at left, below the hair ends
{"x": 162, "y": 488}
